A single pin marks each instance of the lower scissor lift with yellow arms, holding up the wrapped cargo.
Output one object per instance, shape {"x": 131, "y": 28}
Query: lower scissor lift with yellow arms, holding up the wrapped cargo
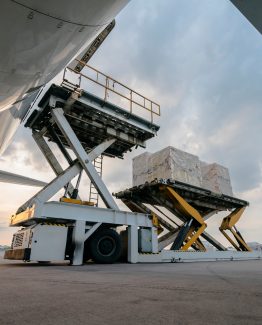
{"x": 168, "y": 201}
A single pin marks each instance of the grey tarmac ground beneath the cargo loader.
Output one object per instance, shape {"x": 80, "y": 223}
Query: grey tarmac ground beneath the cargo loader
{"x": 178, "y": 293}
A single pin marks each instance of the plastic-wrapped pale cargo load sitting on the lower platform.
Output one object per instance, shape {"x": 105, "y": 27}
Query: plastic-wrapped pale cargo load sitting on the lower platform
{"x": 178, "y": 165}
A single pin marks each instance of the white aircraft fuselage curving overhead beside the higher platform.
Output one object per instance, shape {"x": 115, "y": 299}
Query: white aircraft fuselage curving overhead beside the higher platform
{"x": 37, "y": 40}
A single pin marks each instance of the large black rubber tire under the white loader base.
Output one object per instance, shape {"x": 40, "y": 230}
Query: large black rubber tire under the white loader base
{"x": 105, "y": 246}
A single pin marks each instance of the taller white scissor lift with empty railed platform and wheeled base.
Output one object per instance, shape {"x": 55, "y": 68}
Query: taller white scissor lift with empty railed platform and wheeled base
{"x": 84, "y": 127}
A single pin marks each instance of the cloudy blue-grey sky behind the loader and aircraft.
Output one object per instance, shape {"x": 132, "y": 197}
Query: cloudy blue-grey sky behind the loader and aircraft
{"x": 201, "y": 61}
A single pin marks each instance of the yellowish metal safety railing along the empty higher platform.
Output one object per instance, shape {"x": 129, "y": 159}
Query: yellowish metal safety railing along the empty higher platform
{"x": 110, "y": 85}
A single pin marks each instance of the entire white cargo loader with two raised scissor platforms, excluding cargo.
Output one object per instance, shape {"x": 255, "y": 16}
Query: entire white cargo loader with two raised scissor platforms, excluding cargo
{"x": 85, "y": 128}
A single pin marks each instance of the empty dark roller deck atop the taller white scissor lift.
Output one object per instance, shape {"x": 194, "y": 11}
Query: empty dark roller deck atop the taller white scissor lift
{"x": 93, "y": 120}
